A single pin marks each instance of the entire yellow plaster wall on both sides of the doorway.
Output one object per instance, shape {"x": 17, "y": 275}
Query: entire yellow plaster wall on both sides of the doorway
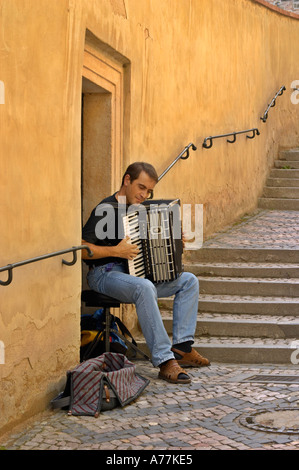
{"x": 196, "y": 68}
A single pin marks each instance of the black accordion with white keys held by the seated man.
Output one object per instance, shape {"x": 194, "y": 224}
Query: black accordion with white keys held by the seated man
{"x": 155, "y": 226}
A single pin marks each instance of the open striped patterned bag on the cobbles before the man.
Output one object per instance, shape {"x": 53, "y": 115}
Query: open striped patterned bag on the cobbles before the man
{"x": 99, "y": 384}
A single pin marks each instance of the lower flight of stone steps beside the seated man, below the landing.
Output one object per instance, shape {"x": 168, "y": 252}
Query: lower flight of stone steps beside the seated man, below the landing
{"x": 249, "y": 304}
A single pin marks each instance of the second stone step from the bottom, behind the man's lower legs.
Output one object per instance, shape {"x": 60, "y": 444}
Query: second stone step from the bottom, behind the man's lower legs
{"x": 249, "y": 326}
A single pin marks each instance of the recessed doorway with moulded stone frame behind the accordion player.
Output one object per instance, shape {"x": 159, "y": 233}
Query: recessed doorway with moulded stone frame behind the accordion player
{"x": 101, "y": 126}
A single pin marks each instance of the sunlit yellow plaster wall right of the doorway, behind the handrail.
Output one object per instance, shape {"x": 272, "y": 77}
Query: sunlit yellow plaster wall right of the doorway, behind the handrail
{"x": 200, "y": 68}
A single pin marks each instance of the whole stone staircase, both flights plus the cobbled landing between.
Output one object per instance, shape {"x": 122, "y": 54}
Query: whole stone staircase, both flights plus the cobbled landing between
{"x": 249, "y": 280}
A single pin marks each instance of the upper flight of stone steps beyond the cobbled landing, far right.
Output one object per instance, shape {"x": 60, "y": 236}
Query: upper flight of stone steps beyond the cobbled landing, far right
{"x": 282, "y": 187}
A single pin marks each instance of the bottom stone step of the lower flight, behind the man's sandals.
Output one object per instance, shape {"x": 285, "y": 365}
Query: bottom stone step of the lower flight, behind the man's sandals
{"x": 242, "y": 350}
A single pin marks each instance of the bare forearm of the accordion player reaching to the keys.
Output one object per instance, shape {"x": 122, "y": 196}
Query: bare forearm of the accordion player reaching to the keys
{"x": 124, "y": 249}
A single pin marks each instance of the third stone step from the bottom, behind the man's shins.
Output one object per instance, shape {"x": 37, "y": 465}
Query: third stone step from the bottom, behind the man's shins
{"x": 247, "y": 305}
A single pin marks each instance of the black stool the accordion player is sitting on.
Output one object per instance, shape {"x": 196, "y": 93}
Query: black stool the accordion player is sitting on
{"x": 94, "y": 299}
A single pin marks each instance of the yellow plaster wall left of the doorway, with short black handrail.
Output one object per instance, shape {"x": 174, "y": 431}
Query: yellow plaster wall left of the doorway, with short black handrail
{"x": 40, "y": 202}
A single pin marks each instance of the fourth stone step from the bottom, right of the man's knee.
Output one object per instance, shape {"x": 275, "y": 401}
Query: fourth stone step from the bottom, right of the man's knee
{"x": 249, "y": 286}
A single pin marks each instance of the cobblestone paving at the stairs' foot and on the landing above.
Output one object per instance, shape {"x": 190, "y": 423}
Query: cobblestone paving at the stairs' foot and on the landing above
{"x": 215, "y": 412}
